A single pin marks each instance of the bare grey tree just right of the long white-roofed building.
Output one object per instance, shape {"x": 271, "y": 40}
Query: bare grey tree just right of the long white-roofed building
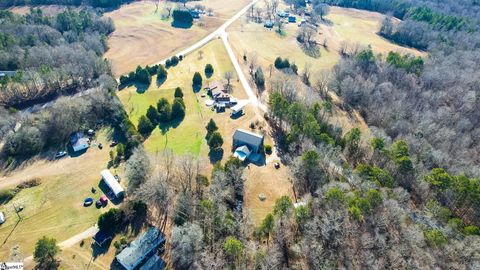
{"x": 137, "y": 169}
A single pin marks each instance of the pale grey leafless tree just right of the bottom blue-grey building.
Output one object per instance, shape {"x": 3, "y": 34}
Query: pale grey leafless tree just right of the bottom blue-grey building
{"x": 186, "y": 242}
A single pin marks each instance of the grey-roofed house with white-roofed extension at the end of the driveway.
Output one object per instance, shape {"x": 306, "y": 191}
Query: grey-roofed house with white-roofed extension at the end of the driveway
{"x": 246, "y": 143}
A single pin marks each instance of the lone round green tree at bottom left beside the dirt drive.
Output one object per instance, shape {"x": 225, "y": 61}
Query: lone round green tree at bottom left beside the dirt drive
{"x": 45, "y": 253}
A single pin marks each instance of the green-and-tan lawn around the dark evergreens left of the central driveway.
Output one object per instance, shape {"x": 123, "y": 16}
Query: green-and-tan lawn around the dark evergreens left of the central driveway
{"x": 188, "y": 136}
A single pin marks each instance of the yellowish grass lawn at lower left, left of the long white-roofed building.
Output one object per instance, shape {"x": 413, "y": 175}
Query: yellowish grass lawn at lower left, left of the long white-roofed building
{"x": 54, "y": 208}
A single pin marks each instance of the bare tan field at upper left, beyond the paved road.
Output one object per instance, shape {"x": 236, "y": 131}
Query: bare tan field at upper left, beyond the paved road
{"x": 142, "y": 37}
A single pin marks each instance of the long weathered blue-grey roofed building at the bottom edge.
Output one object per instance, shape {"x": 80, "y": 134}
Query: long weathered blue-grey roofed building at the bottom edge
{"x": 141, "y": 250}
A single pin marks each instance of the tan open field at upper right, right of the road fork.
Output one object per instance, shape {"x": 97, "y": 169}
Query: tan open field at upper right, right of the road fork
{"x": 347, "y": 25}
